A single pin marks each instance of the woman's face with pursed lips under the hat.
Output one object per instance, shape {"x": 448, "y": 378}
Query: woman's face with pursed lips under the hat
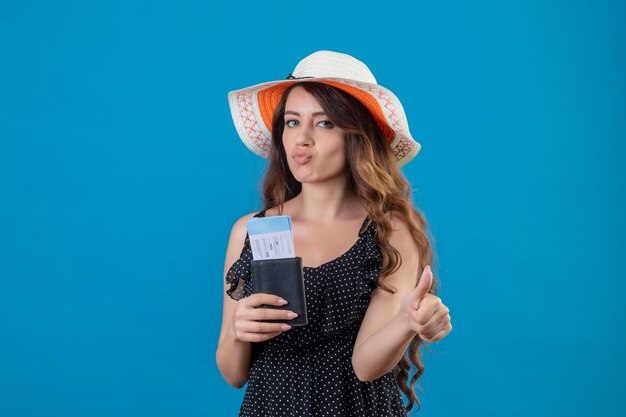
{"x": 314, "y": 146}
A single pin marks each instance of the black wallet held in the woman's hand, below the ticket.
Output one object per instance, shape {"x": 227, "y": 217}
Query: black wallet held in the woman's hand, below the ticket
{"x": 282, "y": 277}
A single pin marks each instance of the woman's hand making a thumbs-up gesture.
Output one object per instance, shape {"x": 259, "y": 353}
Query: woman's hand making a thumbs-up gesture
{"x": 425, "y": 313}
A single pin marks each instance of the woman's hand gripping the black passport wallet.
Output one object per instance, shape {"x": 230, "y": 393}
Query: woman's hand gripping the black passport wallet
{"x": 245, "y": 326}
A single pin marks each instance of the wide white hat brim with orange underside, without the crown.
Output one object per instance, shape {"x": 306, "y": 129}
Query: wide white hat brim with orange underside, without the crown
{"x": 252, "y": 109}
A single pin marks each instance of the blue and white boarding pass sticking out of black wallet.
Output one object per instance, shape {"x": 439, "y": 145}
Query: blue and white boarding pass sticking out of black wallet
{"x": 271, "y": 237}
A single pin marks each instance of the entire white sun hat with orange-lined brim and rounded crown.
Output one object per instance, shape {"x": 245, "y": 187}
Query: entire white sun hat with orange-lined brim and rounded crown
{"x": 252, "y": 108}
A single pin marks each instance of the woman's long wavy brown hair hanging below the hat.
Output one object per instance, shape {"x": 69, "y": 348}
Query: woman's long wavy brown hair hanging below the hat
{"x": 376, "y": 180}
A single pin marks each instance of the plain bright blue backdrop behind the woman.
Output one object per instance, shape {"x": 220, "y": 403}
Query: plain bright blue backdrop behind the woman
{"x": 121, "y": 175}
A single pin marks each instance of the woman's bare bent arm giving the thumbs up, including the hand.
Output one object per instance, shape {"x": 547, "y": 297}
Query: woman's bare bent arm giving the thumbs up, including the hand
{"x": 386, "y": 331}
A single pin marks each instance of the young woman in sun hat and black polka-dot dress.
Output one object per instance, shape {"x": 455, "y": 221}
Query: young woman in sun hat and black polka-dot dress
{"x": 335, "y": 141}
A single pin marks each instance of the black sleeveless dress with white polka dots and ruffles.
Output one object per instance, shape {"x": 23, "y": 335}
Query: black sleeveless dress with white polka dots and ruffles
{"x": 307, "y": 370}
